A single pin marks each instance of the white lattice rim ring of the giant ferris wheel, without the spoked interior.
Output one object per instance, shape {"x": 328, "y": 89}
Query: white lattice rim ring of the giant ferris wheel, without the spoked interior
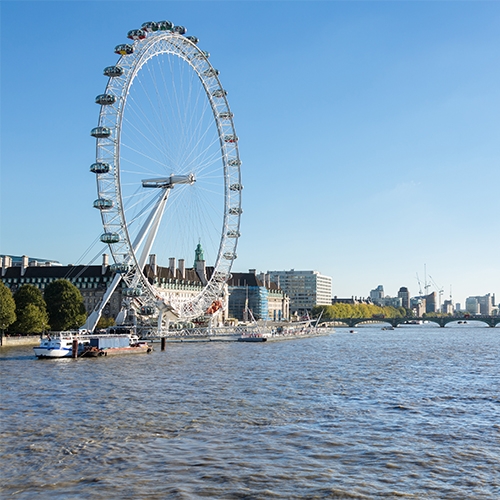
{"x": 109, "y": 183}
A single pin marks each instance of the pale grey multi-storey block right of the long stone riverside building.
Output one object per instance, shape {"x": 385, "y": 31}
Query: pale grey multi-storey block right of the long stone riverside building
{"x": 306, "y": 289}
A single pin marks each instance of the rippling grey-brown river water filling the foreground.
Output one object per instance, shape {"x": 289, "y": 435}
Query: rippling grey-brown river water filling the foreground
{"x": 413, "y": 413}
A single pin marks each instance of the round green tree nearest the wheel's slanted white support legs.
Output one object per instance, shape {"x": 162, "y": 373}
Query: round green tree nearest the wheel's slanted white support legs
{"x": 64, "y": 305}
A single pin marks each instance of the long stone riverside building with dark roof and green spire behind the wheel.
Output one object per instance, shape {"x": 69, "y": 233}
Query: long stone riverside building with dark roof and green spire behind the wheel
{"x": 266, "y": 300}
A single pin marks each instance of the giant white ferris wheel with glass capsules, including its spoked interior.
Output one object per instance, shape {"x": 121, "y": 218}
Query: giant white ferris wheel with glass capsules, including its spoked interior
{"x": 167, "y": 168}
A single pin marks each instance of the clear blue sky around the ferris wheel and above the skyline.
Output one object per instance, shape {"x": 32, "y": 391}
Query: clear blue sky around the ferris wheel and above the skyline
{"x": 369, "y": 132}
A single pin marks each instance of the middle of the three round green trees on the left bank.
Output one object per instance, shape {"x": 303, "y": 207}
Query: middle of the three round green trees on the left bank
{"x": 31, "y": 311}
